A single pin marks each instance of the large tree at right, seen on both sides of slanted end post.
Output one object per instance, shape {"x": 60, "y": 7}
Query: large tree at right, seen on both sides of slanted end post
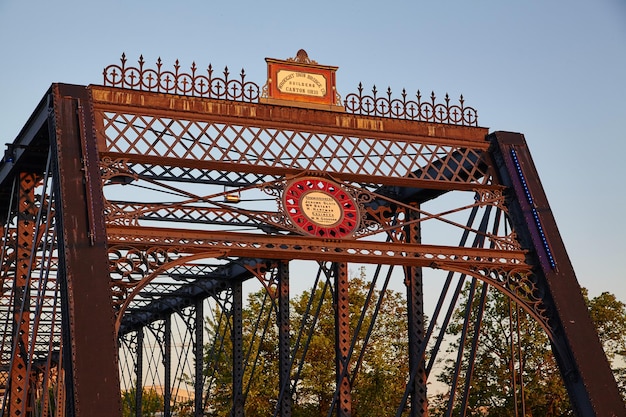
{"x": 515, "y": 372}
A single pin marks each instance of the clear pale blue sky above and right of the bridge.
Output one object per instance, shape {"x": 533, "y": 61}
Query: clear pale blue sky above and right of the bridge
{"x": 552, "y": 70}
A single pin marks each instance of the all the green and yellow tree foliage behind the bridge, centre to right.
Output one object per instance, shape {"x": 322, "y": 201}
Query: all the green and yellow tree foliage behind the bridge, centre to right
{"x": 514, "y": 370}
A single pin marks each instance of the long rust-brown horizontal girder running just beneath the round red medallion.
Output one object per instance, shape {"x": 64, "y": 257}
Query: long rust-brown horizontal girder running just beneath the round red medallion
{"x": 302, "y": 247}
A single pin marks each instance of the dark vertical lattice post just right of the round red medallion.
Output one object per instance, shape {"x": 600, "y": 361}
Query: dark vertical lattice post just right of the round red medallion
{"x": 415, "y": 311}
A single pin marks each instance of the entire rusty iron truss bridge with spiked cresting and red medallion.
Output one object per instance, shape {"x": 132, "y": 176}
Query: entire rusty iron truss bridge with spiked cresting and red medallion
{"x": 158, "y": 229}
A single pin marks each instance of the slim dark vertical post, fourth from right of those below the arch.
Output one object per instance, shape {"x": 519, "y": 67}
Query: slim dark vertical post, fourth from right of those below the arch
{"x": 237, "y": 337}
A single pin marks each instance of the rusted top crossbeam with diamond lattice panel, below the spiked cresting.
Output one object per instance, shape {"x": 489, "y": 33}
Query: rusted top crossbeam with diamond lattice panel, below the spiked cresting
{"x": 242, "y": 137}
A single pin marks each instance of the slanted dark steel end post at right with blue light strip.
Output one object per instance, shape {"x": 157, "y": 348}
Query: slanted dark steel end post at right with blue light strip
{"x": 582, "y": 361}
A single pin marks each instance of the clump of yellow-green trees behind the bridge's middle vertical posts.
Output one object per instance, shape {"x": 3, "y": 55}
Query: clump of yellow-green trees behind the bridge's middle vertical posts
{"x": 382, "y": 369}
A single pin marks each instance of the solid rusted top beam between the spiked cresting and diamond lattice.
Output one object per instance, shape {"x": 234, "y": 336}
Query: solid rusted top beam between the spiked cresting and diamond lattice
{"x": 281, "y": 117}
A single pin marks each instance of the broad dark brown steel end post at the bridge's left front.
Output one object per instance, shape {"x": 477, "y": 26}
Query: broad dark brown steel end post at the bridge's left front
{"x": 92, "y": 372}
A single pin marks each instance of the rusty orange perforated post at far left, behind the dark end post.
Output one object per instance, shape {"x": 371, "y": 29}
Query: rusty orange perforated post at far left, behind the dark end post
{"x": 21, "y": 299}
